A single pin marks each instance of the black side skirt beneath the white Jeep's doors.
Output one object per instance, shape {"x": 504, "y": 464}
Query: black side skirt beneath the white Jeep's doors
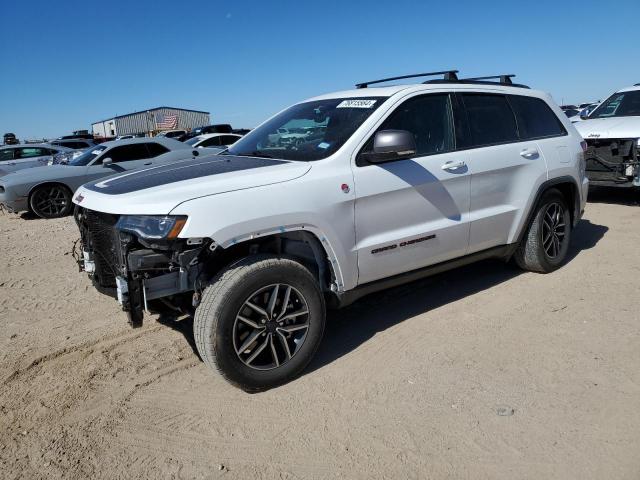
{"x": 346, "y": 298}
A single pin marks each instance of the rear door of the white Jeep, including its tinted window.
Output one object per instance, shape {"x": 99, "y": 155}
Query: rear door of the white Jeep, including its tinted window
{"x": 505, "y": 169}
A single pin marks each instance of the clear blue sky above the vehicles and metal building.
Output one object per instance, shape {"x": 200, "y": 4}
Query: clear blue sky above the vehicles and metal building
{"x": 66, "y": 64}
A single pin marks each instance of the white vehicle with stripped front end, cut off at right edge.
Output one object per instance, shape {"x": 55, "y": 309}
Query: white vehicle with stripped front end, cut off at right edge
{"x": 612, "y": 133}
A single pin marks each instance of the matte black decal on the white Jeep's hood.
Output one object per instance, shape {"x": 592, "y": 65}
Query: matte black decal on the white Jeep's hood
{"x": 177, "y": 172}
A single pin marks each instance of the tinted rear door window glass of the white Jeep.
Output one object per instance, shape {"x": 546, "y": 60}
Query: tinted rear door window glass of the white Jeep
{"x": 491, "y": 119}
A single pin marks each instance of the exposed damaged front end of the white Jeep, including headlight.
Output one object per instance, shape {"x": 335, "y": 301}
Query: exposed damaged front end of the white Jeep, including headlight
{"x": 141, "y": 261}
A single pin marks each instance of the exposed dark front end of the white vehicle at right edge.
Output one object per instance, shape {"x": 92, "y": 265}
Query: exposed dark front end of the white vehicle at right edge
{"x": 613, "y": 161}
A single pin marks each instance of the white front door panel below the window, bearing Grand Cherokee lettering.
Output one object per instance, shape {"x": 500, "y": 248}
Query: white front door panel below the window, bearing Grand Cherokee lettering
{"x": 410, "y": 214}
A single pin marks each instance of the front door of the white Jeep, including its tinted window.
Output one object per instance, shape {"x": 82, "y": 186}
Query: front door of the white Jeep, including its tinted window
{"x": 414, "y": 212}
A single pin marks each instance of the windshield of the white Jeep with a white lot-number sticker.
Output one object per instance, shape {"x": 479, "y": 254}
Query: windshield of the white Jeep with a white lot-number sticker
{"x": 307, "y": 131}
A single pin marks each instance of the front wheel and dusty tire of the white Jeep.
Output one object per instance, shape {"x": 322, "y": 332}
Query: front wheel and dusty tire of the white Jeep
{"x": 260, "y": 322}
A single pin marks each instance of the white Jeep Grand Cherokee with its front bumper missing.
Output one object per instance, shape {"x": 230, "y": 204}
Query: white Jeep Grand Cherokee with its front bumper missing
{"x": 391, "y": 185}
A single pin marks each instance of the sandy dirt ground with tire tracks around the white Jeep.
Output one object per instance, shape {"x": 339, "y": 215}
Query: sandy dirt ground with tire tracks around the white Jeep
{"x": 483, "y": 373}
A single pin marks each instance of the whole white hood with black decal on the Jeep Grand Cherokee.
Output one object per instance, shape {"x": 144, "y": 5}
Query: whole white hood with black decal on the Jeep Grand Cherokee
{"x": 158, "y": 190}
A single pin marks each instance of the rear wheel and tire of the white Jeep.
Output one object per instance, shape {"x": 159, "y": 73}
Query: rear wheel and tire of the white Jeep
{"x": 546, "y": 242}
